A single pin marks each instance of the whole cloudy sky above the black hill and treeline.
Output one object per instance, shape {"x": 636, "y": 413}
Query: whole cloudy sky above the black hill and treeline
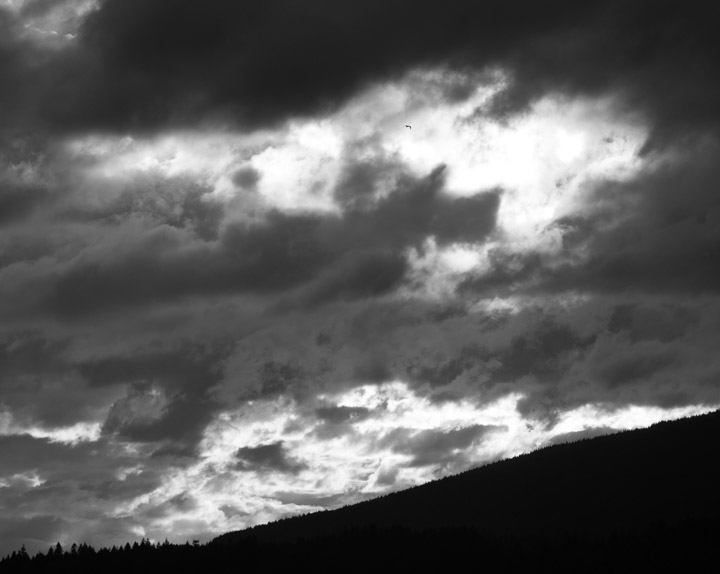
{"x": 235, "y": 286}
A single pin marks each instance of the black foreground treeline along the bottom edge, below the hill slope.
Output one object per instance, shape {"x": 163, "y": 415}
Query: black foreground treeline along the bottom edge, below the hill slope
{"x": 680, "y": 547}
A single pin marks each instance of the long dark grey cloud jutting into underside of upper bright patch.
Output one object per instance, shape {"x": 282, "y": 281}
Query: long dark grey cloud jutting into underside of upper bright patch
{"x": 355, "y": 255}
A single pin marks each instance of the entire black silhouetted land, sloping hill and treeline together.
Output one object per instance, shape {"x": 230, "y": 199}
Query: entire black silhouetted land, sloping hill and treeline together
{"x": 646, "y": 499}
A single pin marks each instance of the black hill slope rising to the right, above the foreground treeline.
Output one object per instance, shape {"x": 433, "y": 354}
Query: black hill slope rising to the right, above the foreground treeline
{"x": 667, "y": 474}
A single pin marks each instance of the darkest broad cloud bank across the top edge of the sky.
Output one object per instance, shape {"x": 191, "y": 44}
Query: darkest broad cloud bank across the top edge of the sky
{"x": 144, "y": 64}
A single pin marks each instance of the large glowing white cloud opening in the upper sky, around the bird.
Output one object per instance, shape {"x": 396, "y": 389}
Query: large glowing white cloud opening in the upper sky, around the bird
{"x": 543, "y": 160}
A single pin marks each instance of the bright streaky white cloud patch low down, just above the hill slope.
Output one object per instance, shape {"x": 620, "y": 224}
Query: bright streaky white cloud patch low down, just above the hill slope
{"x": 348, "y": 461}
